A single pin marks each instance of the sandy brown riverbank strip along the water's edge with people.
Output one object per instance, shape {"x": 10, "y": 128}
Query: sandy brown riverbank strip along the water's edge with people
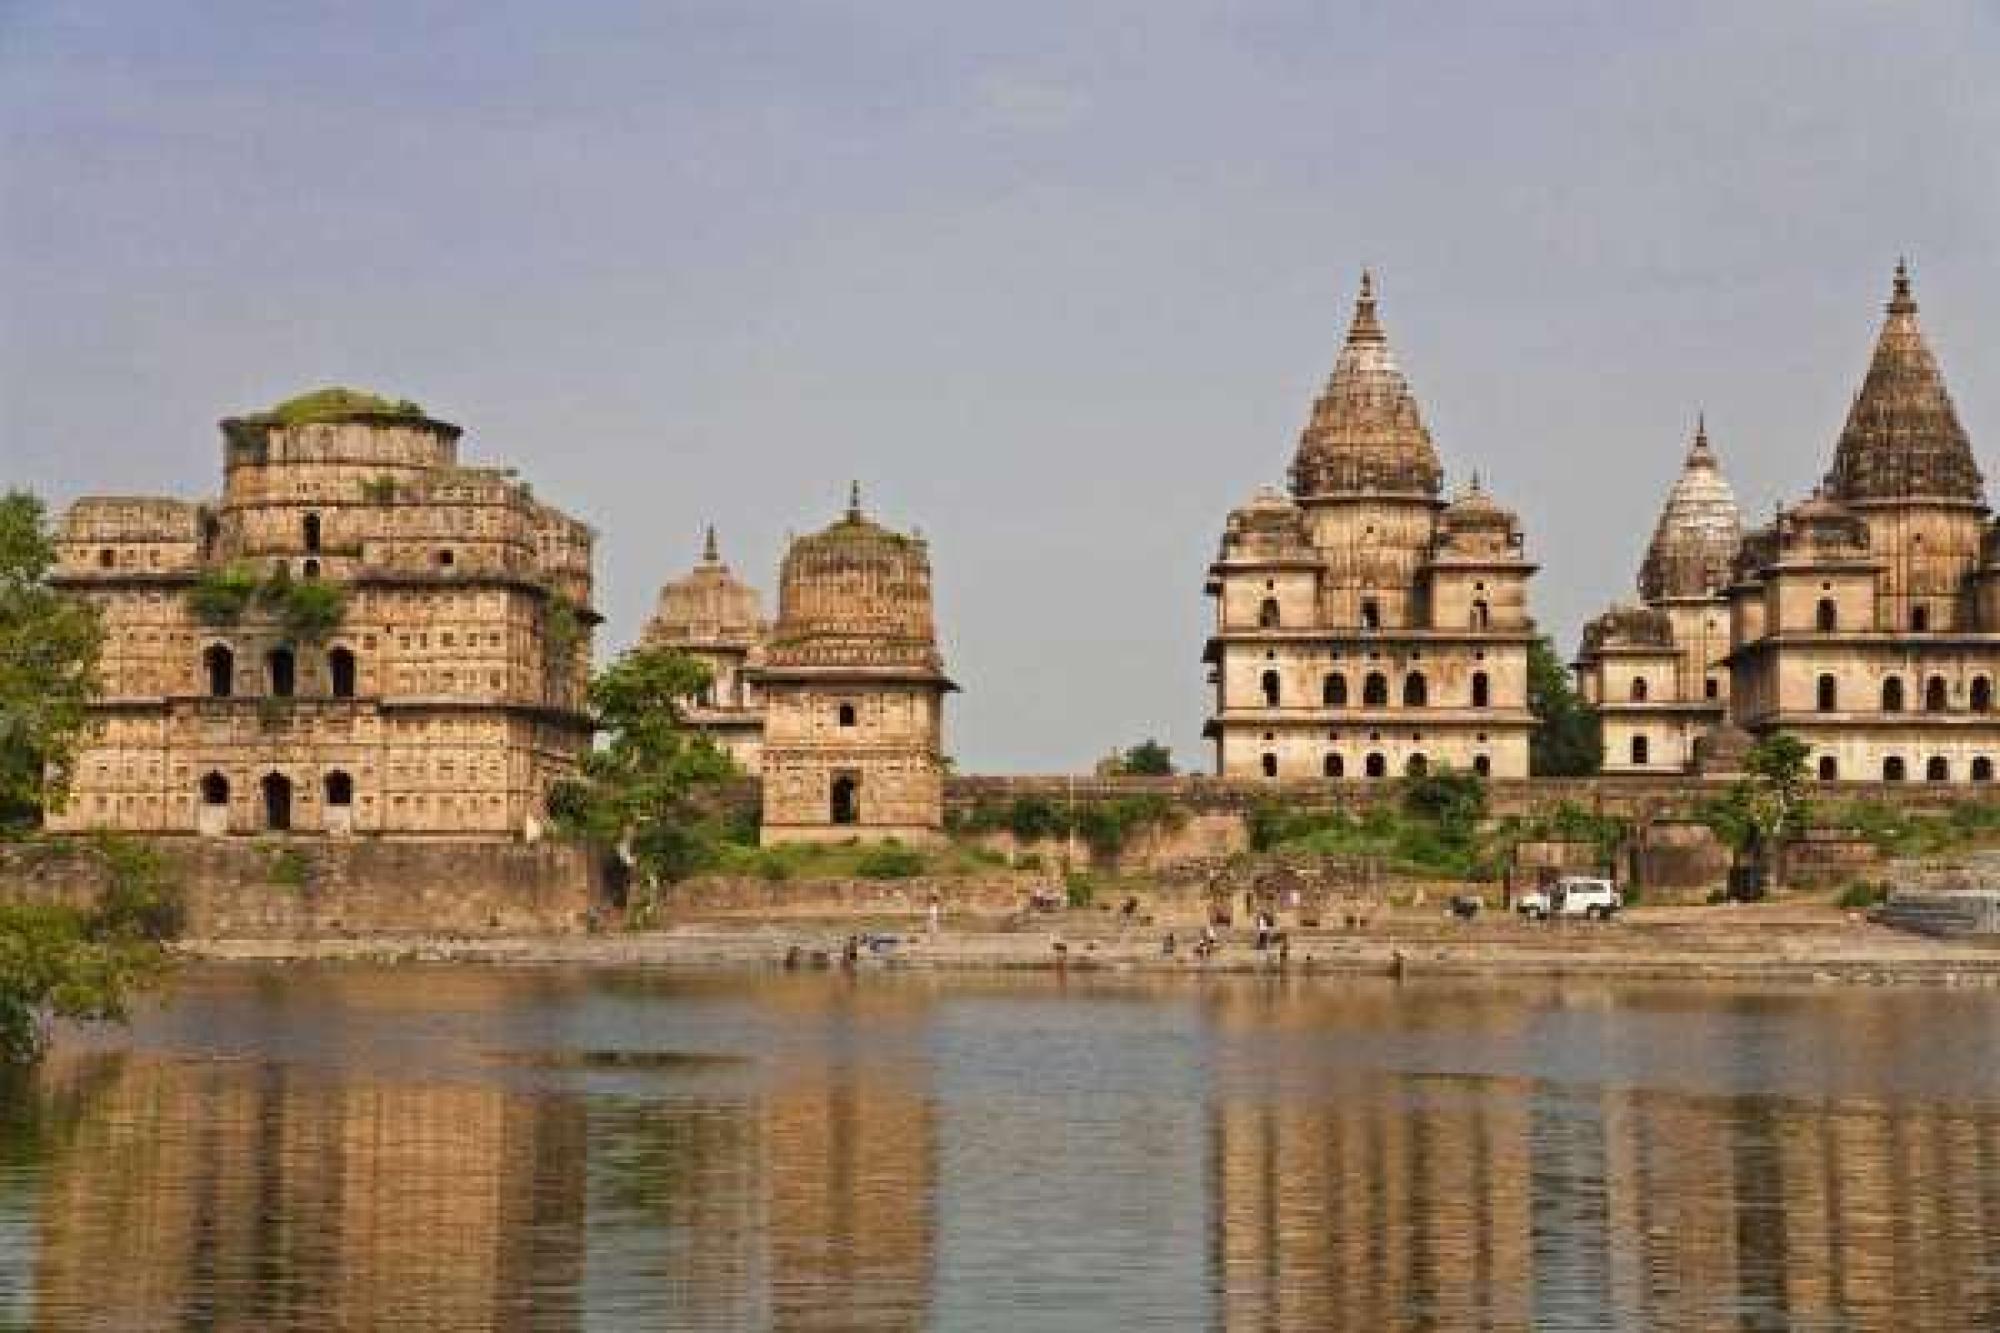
{"x": 1787, "y": 944}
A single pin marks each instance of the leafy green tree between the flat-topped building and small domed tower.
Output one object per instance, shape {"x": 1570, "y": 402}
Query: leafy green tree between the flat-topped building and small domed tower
{"x": 651, "y": 788}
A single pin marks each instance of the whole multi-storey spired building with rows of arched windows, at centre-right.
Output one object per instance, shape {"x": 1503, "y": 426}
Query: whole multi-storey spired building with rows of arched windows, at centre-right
{"x": 1365, "y": 627}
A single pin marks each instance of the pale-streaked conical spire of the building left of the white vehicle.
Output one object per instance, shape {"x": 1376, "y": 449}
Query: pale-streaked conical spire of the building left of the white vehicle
{"x": 1367, "y": 433}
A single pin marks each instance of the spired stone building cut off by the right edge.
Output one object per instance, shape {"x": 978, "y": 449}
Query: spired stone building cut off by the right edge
{"x": 1867, "y": 619}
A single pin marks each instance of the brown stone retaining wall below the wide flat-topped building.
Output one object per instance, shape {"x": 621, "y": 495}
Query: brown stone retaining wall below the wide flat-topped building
{"x": 309, "y": 888}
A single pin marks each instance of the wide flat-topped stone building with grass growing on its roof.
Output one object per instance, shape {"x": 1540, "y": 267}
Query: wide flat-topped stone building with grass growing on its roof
{"x": 441, "y": 704}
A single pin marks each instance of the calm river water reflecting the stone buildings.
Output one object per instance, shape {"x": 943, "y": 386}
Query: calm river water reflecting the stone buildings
{"x": 551, "y": 1150}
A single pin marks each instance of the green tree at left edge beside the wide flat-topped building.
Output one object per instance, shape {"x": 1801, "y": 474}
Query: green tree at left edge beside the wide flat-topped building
{"x": 49, "y": 668}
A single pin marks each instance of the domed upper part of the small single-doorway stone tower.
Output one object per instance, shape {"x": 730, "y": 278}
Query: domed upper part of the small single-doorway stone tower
{"x": 855, "y": 595}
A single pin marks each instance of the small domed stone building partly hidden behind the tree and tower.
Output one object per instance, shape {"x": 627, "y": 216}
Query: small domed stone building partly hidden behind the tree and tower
{"x": 715, "y": 617}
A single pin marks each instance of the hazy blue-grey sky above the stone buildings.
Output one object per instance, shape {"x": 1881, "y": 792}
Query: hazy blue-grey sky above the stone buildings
{"x": 1055, "y": 279}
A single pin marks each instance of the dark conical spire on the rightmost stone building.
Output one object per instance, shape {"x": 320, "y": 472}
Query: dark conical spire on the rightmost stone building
{"x": 1903, "y": 439}
